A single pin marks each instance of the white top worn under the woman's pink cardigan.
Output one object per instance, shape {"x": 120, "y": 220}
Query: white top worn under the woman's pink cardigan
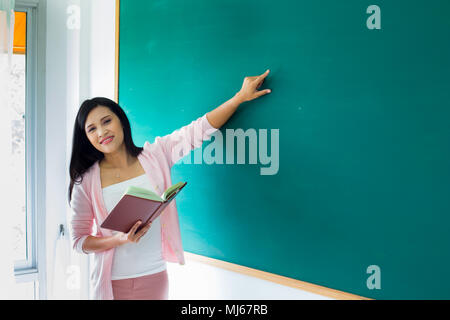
{"x": 133, "y": 260}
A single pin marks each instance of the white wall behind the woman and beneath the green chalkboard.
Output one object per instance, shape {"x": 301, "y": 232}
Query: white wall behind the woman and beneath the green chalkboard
{"x": 80, "y": 64}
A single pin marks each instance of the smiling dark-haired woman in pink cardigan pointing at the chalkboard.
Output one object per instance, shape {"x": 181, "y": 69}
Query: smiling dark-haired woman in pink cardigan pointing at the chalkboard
{"x": 103, "y": 164}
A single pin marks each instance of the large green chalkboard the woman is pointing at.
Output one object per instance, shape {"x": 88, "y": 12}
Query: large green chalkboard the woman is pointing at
{"x": 364, "y": 136}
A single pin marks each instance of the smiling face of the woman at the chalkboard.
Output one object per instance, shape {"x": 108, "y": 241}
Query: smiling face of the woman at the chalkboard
{"x": 104, "y": 129}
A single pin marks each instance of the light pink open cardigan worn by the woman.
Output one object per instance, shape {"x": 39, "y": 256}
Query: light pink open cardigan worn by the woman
{"x": 157, "y": 160}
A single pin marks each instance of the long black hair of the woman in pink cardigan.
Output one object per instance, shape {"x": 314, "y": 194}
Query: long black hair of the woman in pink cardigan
{"x": 84, "y": 154}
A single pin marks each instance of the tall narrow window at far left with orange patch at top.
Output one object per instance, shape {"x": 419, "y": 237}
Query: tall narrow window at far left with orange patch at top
{"x": 24, "y": 138}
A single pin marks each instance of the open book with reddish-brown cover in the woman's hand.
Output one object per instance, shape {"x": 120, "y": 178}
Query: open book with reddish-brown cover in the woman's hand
{"x": 139, "y": 204}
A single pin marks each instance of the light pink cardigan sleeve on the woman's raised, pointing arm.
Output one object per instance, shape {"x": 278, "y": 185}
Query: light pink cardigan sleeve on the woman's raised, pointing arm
{"x": 179, "y": 143}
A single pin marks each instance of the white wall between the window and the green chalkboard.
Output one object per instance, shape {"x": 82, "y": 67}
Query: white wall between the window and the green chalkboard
{"x": 79, "y": 65}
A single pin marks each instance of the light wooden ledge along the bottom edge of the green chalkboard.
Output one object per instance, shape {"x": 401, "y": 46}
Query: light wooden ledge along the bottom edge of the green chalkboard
{"x": 285, "y": 281}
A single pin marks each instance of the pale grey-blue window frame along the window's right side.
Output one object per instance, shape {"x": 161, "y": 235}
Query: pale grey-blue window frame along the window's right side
{"x": 33, "y": 269}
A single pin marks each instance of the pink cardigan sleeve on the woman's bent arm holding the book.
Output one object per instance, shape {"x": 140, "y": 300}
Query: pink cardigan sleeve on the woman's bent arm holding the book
{"x": 81, "y": 218}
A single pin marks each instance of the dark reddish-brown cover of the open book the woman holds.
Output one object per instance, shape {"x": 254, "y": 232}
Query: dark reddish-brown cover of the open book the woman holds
{"x": 130, "y": 209}
